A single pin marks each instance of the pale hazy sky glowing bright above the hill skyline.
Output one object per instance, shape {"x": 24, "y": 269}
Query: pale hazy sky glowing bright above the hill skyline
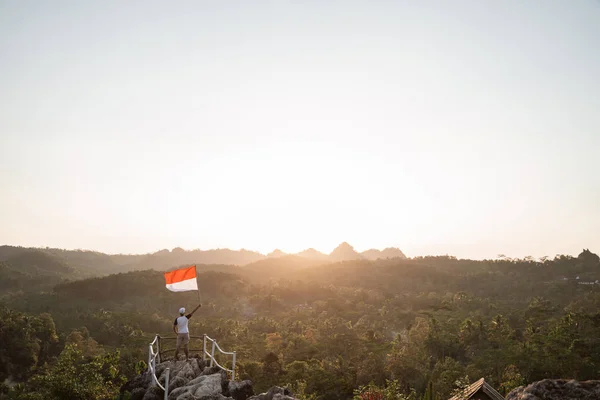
{"x": 465, "y": 127}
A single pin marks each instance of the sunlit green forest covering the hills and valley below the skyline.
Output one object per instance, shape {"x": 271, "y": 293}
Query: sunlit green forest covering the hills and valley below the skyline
{"x": 77, "y": 324}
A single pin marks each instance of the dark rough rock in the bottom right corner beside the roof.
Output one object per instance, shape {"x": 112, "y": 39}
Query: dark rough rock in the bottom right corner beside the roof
{"x": 557, "y": 389}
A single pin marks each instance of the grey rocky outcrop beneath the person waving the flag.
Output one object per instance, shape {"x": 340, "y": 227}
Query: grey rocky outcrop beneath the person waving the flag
{"x": 195, "y": 380}
